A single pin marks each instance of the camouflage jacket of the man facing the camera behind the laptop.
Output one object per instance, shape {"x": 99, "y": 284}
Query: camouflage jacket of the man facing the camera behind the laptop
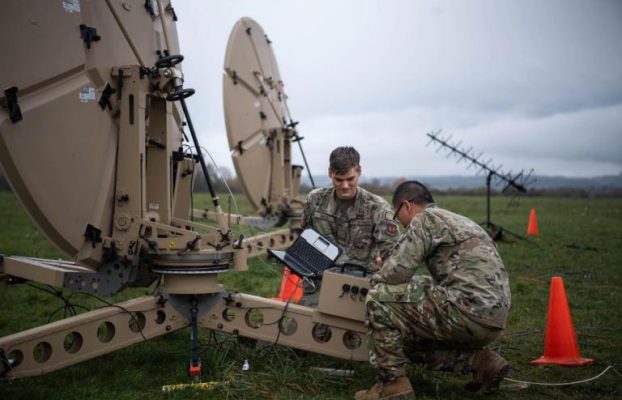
{"x": 363, "y": 232}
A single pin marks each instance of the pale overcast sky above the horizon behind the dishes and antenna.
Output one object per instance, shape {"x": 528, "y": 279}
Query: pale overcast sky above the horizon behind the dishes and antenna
{"x": 530, "y": 84}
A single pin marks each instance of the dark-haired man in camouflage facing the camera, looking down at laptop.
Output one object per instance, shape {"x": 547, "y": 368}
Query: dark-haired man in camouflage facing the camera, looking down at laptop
{"x": 358, "y": 221}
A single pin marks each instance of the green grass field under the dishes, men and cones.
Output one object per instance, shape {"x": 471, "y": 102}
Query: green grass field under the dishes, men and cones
{"x": 580, "y": 240}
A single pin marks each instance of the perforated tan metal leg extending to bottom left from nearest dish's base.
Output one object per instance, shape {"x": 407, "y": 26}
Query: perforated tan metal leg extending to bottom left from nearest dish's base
{"x": 59, "y": 344}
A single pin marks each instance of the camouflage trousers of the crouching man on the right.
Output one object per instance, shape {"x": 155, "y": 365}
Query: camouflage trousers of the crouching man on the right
{"x": 415, "y": 321}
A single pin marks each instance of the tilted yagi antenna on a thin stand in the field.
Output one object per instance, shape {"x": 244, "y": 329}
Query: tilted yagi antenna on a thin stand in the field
{"x": 514, "y": 184}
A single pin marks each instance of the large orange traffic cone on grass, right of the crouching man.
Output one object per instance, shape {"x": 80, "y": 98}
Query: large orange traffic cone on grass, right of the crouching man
{"x": 560, "y": 341}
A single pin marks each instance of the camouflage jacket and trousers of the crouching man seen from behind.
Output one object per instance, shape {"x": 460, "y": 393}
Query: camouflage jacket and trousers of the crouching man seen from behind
{"x": 442, "y": 294}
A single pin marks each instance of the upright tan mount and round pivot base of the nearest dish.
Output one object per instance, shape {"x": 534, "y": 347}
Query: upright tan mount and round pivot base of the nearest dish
{"x": 144, "y": 231}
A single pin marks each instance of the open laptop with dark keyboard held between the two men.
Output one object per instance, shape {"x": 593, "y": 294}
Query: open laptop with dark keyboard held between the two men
{"x": 309, "y": 255}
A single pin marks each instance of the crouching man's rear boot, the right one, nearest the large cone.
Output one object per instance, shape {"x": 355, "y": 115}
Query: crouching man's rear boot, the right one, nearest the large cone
{"x": 489, "y": 369}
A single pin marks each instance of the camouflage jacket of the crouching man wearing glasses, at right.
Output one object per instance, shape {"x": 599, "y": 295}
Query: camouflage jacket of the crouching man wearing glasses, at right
{"x": 461, "y": 258}
